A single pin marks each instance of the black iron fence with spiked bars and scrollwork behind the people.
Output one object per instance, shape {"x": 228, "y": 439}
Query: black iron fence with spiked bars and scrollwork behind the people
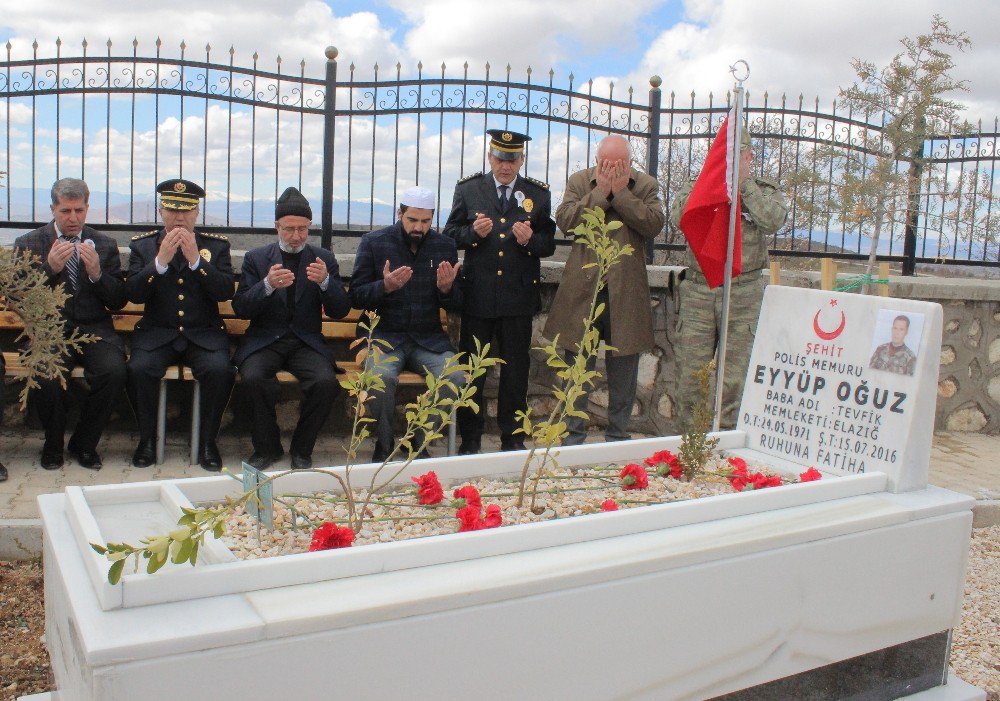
{"x": 353, "y": 136}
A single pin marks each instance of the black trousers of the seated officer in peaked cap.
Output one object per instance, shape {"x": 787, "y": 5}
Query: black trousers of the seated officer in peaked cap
{"x": 212, "y": 368}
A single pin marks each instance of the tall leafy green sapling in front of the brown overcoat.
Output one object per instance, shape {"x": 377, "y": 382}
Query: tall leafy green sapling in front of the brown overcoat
{"x": 576, "y": 377}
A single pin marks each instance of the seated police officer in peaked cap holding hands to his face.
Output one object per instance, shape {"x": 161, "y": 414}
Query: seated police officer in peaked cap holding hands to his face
{"x": 181, "y": 276}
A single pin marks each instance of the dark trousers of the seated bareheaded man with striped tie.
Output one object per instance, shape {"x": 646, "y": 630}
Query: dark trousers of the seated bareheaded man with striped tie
{"x": 104, "y": 369}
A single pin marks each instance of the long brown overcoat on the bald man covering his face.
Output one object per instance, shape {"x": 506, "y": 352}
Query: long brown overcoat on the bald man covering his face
{"x": 640, "y": 210}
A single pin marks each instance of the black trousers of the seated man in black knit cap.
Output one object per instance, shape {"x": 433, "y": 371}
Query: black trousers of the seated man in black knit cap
{"x": 316, "y": 376}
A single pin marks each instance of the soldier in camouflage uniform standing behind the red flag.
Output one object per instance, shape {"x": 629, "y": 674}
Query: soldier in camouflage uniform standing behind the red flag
{"x": 764, "y": 211}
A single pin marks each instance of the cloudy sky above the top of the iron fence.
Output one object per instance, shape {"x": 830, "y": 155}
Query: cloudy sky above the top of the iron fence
{"x": 792, "y": 47}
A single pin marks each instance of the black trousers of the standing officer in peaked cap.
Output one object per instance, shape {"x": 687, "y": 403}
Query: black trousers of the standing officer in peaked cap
{"x": 513, "y": 341}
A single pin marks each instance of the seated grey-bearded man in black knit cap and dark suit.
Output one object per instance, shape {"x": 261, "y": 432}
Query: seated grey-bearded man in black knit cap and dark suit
{"x": 285, "y": 288}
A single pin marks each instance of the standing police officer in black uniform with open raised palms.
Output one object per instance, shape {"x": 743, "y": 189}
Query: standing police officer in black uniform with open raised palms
{"x": 503, "y": 222}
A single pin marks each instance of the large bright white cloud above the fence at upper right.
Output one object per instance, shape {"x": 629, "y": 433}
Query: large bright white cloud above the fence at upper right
{"x": 806, "y": 47}
